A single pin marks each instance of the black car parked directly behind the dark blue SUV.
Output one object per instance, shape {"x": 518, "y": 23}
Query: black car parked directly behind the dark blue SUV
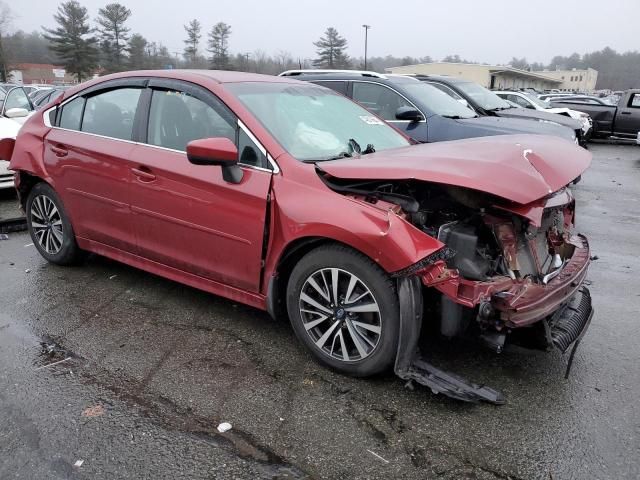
{"x": 488, "y": 104}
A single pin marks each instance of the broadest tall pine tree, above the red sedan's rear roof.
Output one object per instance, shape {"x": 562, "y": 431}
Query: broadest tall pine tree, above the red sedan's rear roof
{"x": 71, "y": 42}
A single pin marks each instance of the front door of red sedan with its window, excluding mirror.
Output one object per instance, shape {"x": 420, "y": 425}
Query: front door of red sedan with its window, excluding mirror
{"x": 186, "y": 216}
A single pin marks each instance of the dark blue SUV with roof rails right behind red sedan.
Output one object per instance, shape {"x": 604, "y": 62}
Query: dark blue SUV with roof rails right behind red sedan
{"x": 420, "y": 110}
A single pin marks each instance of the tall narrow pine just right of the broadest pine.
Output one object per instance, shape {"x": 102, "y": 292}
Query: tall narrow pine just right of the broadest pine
{"x": 114, "y": 33}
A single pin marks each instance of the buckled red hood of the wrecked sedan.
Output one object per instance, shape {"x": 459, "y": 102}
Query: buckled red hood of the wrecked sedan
{"x": 518, "y": 168}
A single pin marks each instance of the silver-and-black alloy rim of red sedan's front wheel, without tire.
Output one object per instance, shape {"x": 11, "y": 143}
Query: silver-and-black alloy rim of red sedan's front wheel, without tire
{"x": 340, "y": 314}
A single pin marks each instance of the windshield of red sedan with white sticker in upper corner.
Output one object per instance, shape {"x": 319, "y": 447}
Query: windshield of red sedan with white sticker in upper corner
{"x": 314, "y": 123}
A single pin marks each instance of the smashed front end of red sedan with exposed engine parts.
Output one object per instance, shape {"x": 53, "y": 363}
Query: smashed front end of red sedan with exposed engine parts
{"x": 513, "y": 271}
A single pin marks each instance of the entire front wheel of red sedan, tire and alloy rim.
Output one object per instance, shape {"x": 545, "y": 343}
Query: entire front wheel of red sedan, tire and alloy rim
{"x": 345, "y": 310}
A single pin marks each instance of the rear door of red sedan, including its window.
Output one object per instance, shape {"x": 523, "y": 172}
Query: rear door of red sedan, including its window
{"x": 87, "y": 154}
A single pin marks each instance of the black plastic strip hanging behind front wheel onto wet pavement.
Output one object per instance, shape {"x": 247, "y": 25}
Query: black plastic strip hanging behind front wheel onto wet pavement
{"x": 409, "y": 364}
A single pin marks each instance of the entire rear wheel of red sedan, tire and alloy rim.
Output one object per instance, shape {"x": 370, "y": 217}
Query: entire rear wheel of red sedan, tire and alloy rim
{"x": 49, "y": 226}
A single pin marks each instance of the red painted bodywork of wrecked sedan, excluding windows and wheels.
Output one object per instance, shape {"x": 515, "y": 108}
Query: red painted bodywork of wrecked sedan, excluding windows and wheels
{"x": 152, "y": 209}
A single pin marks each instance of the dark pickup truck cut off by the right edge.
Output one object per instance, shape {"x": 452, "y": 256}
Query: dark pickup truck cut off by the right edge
{"x": 609, "y": 121}
